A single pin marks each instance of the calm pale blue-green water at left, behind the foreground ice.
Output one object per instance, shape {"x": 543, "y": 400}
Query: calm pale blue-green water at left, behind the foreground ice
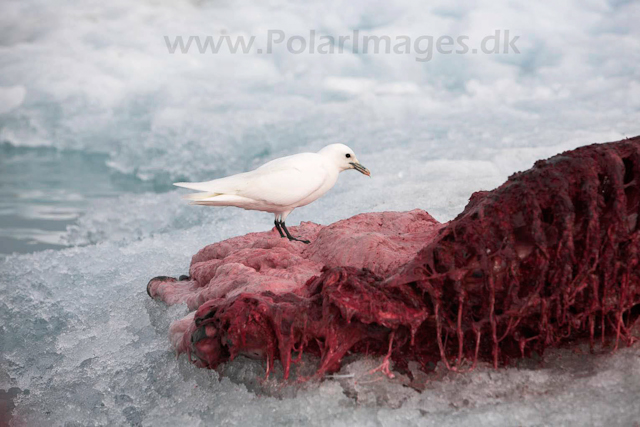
{"x": 44, "y": 190}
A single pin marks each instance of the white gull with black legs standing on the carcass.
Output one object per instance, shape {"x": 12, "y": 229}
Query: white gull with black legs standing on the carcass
{"x": 280, "y": 185}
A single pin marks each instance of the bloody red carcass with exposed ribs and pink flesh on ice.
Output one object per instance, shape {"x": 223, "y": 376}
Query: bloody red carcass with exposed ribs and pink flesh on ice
{"x": 549, "y": 256}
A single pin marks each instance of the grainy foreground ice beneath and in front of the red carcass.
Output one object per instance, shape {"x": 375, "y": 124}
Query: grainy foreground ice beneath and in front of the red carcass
{"x": 81, "y": 335}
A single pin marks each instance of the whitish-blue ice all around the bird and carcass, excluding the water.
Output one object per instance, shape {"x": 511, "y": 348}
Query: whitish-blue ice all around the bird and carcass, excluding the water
{"x": 79, "y": 336}
